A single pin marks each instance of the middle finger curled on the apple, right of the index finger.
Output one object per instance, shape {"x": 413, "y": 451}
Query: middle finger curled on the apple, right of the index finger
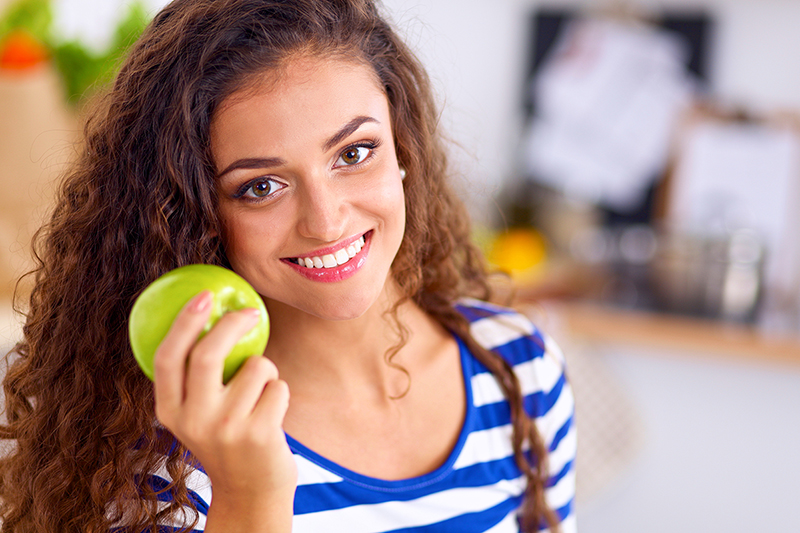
{"x": 206, "y": 362}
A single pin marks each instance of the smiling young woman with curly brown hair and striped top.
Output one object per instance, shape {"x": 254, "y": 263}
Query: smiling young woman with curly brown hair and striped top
{"x": 295, "y": 142}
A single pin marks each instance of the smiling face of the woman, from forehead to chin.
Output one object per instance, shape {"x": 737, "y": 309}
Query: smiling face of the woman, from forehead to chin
{"x": 310, "y": 194}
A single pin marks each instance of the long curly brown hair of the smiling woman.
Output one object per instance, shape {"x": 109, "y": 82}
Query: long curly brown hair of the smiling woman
{"x": 140, "y": 200}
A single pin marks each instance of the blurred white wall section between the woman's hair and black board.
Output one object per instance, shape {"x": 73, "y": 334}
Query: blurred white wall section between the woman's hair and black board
{"x": 474, "y": 51}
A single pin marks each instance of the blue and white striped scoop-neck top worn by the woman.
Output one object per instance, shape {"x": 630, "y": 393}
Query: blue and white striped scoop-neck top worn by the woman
{"x": 479, "y": 488}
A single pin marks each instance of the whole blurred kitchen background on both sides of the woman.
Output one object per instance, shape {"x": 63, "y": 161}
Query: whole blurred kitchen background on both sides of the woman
{"x": 634, "y": 166}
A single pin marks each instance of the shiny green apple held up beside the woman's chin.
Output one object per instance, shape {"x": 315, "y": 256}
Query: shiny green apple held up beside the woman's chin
{"x": 155, "y": 310}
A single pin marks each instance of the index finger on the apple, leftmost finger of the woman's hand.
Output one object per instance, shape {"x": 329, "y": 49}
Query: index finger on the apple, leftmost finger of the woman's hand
{"x": 169, "y": 364}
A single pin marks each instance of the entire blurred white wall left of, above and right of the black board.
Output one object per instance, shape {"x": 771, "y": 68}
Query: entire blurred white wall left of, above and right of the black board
{"x": 475, "y": 52}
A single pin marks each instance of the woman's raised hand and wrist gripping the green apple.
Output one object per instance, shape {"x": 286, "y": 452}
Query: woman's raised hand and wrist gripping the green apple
{"x": 234, "y": 430}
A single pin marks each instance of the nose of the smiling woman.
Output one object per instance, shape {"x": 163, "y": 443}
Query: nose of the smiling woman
{"x": 322, "y": 211}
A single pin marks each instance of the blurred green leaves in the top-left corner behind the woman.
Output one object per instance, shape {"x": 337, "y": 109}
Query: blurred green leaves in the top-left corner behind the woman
{"x": 82, "y": 70}
